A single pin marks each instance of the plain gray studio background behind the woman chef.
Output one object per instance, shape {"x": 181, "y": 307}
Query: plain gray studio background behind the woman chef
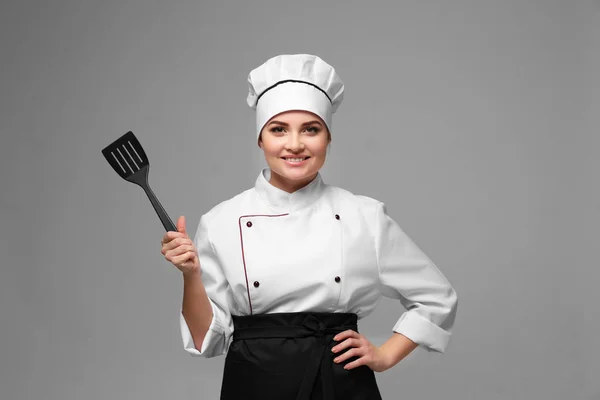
{"x": 475, "y": 121}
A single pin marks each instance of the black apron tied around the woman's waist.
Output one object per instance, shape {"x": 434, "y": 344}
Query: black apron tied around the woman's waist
{"x": 287, "y": 356}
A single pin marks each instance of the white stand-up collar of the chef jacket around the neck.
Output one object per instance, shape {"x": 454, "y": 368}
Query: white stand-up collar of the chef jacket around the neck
{"x": 284, "y": 201}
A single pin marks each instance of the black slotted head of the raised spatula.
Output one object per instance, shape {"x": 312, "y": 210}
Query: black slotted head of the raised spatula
{"x": 128, "y": 159}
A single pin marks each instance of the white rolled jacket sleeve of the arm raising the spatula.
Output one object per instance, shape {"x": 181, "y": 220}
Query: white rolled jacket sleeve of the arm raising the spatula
{"x": 217, "y": 339}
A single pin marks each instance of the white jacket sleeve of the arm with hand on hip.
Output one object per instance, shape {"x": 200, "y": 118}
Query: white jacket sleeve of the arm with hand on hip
{"x": 408, "y": 275}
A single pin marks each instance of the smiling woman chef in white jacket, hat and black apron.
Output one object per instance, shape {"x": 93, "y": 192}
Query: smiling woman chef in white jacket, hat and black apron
{"x": 277, "y": 276}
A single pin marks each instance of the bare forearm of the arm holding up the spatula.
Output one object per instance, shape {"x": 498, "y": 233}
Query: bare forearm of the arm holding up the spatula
{"x": 196, "y": 307}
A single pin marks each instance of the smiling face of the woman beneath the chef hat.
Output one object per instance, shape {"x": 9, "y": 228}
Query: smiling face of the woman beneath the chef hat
{"x": 294, "y": 134}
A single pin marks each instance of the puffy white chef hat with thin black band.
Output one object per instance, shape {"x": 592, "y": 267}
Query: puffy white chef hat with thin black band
{"x": 294, "y": 82}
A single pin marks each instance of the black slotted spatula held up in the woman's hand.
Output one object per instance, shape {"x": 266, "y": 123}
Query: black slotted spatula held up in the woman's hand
{"x": 128, "y": 159}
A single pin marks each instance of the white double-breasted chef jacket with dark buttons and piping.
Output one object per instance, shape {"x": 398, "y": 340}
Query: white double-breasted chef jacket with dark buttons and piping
{"x": 321, "y": 249}
